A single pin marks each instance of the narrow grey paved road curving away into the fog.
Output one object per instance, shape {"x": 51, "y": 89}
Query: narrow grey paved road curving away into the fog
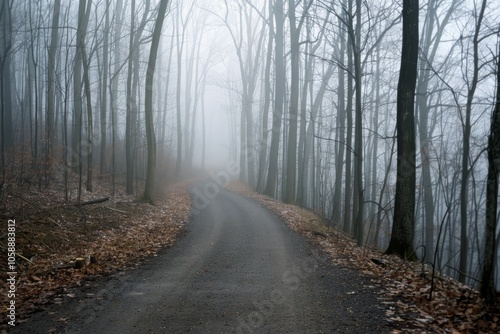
{"x": 237, "y": 269}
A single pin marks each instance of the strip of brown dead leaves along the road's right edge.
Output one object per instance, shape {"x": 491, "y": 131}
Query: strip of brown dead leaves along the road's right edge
{"x": 406, "y": 286}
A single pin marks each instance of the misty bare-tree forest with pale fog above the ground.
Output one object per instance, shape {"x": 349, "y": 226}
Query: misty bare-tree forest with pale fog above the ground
{"x": 382, "y": 117}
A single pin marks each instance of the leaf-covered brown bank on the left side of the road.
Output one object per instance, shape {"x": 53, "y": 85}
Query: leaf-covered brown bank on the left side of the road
{"x": 55, "y": 238}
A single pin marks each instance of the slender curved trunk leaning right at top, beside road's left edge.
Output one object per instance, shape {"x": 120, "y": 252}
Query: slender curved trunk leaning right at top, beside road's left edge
{"x": 148, "y": 195}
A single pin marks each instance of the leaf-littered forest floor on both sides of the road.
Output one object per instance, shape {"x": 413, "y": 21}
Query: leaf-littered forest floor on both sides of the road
{"x": 60, "y": 244}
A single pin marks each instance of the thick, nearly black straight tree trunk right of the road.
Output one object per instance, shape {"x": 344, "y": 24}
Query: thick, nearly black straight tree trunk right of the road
{"x": 401, "y": 242}
